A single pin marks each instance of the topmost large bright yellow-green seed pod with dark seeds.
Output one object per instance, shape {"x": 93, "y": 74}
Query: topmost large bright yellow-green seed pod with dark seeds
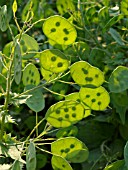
{"x": 59, "y": 30}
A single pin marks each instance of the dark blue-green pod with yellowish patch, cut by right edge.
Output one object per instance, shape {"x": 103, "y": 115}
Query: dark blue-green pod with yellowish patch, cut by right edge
{"x": 118, "y": 80}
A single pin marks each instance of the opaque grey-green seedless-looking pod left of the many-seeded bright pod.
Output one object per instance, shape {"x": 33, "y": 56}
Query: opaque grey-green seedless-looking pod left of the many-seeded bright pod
{"x": 36, "y": 101}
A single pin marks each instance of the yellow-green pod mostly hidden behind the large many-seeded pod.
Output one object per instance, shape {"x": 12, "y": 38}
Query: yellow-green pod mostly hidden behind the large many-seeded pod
{"x": 76, "y": 97}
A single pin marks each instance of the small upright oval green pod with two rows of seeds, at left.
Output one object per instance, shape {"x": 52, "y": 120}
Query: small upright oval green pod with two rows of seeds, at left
{"x": 31, "y": 75}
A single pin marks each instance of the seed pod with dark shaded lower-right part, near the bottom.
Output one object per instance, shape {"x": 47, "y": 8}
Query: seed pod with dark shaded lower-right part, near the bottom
{"x": 71, "y": 149}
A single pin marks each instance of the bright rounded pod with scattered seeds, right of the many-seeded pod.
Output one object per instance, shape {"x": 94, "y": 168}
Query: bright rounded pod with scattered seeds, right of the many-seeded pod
{"x": 96, "y": 99}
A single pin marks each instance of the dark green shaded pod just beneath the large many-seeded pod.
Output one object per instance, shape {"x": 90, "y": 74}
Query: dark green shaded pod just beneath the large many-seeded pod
{"x": 68, "y": 131}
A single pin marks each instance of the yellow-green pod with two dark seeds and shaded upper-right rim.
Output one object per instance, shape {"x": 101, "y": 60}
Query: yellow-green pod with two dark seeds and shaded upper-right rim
{"x": 53, "y": 60}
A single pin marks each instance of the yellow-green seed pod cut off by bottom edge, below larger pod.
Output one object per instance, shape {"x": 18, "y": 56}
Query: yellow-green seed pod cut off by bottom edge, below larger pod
{"x": 59, "y": 162}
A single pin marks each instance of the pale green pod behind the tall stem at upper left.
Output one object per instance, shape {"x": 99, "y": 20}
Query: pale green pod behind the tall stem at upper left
{"x": 28, "y": 45}
